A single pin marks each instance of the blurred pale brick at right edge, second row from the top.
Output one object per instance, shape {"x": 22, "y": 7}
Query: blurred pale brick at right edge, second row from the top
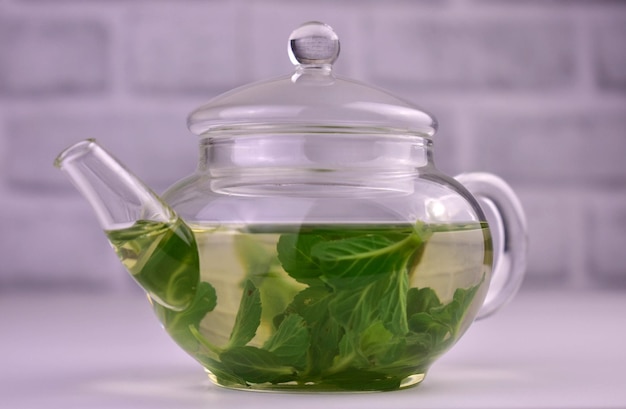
{"x": 580, "y": 147}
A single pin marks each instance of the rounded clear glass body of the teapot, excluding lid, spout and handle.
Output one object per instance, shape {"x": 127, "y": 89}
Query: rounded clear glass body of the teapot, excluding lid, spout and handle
{"x": 324, "y": 275}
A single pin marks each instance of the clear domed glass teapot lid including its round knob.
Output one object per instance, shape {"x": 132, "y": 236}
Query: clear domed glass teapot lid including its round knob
{"x": 312, "y": 99}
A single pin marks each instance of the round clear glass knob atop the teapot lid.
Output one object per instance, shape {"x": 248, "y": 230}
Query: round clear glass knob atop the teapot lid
{"x": 313, "y": 44}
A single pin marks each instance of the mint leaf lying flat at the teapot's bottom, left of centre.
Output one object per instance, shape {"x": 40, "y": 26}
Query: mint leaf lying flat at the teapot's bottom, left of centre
{"x": 256, "y": 365}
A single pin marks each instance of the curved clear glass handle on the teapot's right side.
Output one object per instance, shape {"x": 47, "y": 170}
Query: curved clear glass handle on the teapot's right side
{"x": 507, "y": 224}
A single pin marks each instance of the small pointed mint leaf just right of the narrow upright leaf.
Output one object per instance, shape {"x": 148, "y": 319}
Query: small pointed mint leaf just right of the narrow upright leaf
{"x": 290, "y": 342}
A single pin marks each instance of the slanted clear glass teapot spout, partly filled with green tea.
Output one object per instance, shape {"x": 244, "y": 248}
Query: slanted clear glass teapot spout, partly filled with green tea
{"x": 157, "y": 248}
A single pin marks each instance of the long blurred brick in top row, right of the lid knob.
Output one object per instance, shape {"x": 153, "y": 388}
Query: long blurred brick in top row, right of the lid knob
{"x": 457, "y": 53}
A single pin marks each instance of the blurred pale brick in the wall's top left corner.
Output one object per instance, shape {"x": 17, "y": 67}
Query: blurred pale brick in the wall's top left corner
{"x": 40, "y": 55}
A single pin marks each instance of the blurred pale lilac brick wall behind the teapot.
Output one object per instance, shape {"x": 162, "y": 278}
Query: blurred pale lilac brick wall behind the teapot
{"x": 532, "y": 90}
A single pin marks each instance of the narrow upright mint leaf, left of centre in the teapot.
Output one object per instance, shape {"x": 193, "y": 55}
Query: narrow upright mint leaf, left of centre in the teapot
{"x": 248, "y": 316}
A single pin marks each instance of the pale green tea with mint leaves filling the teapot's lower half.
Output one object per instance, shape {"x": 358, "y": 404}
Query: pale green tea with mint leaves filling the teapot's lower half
{"x": 318, "y": 307}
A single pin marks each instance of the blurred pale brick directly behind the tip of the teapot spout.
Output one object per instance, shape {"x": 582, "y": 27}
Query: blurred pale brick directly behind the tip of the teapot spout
{"x": 41, "y": 137}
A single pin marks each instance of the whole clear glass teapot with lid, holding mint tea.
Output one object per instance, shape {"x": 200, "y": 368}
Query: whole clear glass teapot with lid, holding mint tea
{"x": 317, "y": 247}
